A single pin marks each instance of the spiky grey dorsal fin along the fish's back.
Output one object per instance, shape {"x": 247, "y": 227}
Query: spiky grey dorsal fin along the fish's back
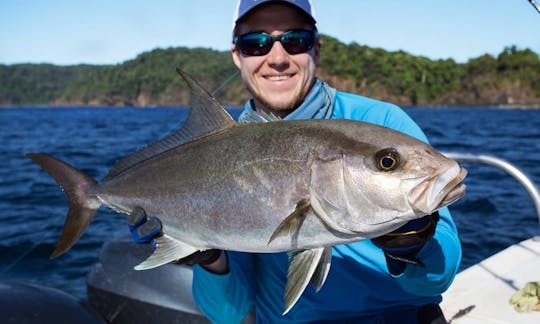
{"x": 206, "y": 115}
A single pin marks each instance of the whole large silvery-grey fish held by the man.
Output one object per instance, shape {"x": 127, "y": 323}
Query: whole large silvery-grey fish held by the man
{"x": 300, "y": 186}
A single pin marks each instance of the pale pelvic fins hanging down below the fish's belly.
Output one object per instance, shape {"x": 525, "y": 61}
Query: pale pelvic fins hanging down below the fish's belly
{"x": 306, "y": 266}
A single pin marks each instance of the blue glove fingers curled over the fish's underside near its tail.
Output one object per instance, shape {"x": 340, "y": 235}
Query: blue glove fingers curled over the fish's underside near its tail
{"x": 144, "y": 229}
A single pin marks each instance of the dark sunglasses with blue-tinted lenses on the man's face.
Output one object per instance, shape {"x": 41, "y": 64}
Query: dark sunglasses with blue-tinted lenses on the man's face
{"x": 257, "y": 44}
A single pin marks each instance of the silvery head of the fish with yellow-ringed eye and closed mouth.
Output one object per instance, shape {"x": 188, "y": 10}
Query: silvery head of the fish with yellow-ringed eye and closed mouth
{"x": 377, "y": 188}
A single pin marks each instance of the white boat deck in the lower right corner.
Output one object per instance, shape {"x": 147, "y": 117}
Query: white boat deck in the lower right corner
{"x": 481, "y": 293}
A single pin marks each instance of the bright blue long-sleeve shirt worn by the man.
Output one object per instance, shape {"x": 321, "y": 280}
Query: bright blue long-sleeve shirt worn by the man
{"x": 359, "y": 285}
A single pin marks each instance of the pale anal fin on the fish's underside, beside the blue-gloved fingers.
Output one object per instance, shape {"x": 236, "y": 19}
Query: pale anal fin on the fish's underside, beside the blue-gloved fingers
{"x": 167, "y": 250}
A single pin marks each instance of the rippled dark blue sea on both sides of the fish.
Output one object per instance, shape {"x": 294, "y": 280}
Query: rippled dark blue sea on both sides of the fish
{"x": 495, "y": 213}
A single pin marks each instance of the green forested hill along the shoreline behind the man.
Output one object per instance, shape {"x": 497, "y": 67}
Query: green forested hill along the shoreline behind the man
{"x": 511, "y": 78}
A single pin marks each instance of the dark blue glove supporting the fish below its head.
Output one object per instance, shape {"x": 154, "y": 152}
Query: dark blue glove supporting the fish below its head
{"x": 401, "y": 246}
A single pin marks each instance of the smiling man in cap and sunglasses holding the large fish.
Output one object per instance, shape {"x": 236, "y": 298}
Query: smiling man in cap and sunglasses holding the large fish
{"x": 397, "y": 278}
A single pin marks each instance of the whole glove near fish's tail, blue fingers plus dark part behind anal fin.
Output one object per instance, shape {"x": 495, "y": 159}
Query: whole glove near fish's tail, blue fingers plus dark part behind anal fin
{"x": 145, "y": 229}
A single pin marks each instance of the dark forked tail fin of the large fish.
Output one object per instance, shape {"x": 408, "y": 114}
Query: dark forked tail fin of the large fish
{"x": 82, "y": 206}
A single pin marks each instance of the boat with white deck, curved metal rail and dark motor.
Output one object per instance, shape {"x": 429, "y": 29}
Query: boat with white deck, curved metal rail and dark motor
{"x": 119, "y": 294}
